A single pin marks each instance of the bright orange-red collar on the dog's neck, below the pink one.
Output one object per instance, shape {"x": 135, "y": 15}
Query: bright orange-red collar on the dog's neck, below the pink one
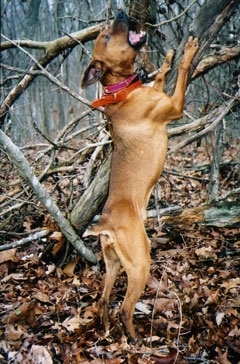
{"x": 117, "y": 92}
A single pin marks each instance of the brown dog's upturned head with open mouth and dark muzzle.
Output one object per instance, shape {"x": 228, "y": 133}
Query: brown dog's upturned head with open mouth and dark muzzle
{"x": 114, "y": 52}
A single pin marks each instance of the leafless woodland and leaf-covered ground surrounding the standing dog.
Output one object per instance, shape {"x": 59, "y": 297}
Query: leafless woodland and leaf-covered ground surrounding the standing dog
{"x": 54, "y": 166}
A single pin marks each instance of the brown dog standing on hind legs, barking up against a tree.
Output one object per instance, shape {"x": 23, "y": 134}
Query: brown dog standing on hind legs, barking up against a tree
{"x": 137, "y": 117}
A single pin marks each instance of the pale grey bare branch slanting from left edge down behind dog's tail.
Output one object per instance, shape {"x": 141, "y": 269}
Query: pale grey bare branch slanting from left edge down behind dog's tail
{"x": 27, "y": 174}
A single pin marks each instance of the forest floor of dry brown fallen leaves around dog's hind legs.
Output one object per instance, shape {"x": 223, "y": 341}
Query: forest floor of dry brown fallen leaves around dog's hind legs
{"x": 188, "y": 313}
